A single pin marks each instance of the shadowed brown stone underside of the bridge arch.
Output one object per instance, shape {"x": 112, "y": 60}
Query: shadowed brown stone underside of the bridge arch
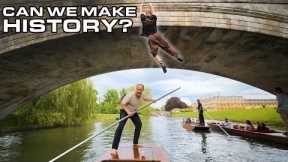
{"x": 256, "y": 59}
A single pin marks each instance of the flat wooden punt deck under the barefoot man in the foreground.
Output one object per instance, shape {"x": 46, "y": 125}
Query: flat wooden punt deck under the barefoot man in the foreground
{"x": 140, "y": 153}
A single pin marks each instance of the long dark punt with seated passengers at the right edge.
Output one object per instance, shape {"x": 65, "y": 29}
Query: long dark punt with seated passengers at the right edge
{"x": 272, "y": 135}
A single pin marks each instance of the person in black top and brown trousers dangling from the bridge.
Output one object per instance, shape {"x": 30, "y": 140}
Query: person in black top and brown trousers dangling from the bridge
{"x": 155, "y": 39}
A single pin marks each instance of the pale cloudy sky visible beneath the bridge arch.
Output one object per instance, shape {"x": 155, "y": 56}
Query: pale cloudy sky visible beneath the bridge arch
{"x": 193, "y": 84}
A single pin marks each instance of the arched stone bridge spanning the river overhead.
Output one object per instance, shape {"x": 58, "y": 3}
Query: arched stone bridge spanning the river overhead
{"x": 245, "y": 40}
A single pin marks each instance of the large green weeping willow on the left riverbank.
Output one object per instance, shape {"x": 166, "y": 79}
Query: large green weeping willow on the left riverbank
{"x": 72, "y": 104}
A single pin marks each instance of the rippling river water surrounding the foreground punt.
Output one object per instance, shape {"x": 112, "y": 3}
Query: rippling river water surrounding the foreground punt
{"x": 181, "y": 145}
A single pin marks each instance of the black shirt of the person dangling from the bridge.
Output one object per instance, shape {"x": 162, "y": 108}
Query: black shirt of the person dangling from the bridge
{"x": 148, "y": 25}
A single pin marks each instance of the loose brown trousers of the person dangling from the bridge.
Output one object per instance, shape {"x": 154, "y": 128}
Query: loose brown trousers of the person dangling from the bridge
{"x": 156, "y": 40}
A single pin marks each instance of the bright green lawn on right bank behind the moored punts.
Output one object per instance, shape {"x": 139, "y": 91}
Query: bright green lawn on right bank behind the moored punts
{"x": 267, "y": 115}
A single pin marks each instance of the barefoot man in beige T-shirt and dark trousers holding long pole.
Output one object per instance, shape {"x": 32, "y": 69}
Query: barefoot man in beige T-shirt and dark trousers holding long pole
{"x": 129, "y": 106}
